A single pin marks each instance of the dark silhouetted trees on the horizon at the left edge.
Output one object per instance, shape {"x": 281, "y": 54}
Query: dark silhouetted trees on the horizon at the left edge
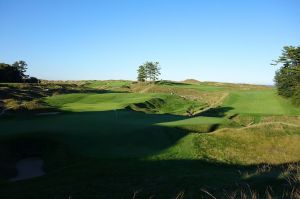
{"x": 15, "y": 73}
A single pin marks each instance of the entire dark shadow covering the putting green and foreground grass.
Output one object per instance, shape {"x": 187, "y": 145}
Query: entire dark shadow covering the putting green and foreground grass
{"x": 108, "y": 159}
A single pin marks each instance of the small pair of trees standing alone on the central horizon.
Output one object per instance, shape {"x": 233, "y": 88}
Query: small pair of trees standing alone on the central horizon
{"x": 149, "y": 70}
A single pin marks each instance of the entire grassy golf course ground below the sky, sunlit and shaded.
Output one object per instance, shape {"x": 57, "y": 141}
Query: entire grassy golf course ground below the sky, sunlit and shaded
{"x": 117, "y": 139}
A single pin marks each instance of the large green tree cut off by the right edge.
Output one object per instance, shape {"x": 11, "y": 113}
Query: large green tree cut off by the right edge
{"x": 287, "y": 78}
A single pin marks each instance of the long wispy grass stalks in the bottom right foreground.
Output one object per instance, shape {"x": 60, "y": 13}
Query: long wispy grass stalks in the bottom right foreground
{"x": 289, "y": 190}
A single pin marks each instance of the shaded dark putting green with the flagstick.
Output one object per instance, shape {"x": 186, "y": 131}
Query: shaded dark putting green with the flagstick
{"x": 119, "y": 133}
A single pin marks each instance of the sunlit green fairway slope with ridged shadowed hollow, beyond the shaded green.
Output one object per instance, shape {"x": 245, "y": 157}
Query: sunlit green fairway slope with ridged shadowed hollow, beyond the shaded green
{"x": 147, "y": 102}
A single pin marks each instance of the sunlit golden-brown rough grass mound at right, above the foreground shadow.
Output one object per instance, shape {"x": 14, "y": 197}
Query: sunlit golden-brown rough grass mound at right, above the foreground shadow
{"x": 266, "y": 143}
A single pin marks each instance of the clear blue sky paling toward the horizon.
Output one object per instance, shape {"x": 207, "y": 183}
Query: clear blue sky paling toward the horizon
{"x": 212, "y": 40}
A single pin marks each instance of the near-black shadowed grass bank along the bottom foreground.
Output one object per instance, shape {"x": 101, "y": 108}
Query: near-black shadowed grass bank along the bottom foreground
{"x": 120, "y": 178}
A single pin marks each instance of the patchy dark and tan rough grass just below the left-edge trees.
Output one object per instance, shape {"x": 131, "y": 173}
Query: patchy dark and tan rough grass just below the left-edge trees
{"x": 22, "y": 97}
